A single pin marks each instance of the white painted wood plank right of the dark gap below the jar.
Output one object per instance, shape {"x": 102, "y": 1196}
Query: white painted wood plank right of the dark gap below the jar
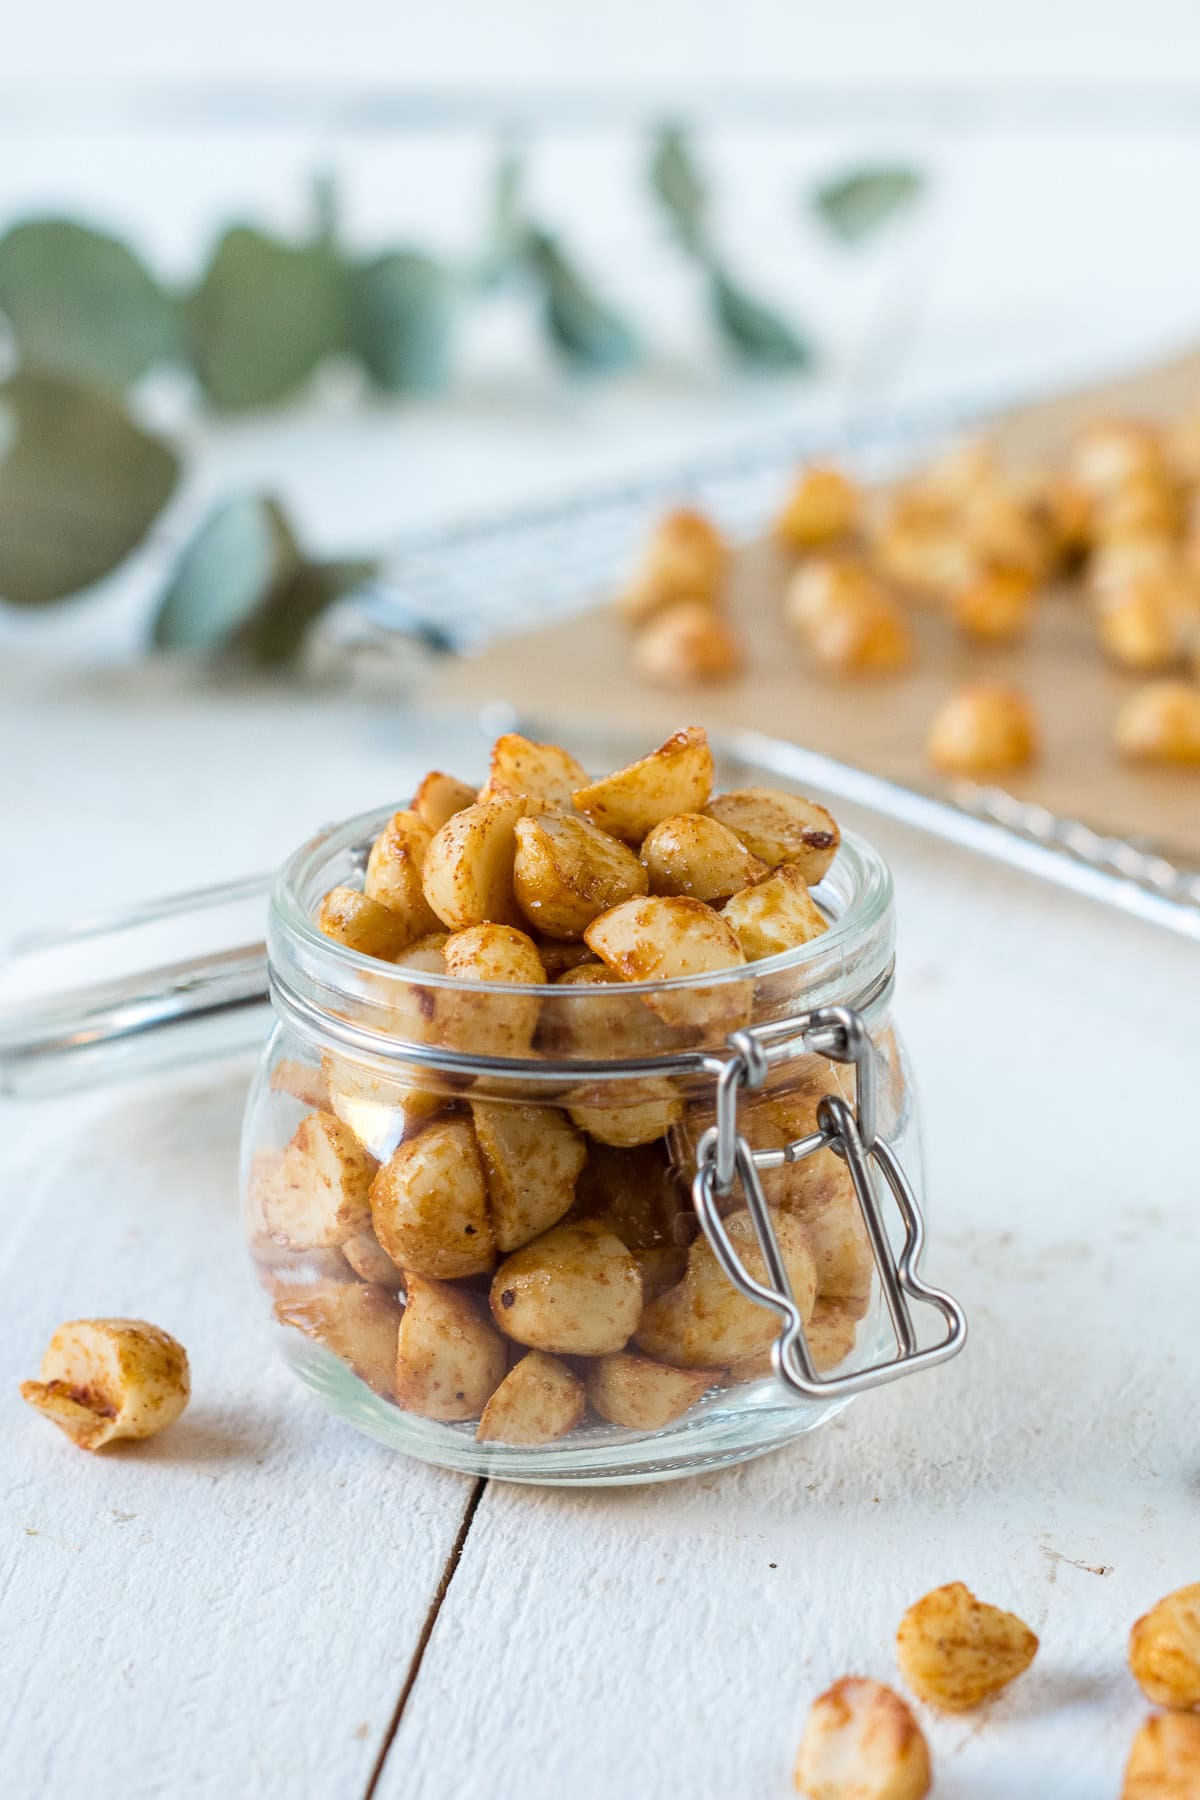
{"x": 668, "y": 1641}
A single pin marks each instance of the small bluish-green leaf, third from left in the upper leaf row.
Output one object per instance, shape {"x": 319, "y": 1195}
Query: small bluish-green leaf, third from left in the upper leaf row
{"x": 400, "y": 321}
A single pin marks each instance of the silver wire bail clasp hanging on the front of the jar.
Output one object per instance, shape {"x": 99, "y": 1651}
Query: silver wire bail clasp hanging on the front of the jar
{"x": 726, "y": 1156}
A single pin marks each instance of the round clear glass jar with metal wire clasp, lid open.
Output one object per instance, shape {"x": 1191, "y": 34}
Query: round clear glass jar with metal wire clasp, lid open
{"x": 587, "y": 1234}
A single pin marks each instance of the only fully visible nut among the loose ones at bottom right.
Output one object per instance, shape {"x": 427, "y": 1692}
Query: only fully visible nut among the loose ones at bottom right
{"x": 956, "y": 1651}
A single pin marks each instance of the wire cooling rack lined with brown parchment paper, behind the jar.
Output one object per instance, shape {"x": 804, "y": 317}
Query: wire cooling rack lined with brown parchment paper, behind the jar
{"x": 1125, "y": 836}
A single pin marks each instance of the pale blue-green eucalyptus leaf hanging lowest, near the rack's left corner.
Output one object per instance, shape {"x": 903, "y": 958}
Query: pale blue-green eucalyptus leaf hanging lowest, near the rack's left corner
{"x": 238, "y": 561}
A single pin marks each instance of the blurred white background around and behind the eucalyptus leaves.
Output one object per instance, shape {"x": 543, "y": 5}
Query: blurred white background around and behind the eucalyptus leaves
{"x": 1055, "y": 240}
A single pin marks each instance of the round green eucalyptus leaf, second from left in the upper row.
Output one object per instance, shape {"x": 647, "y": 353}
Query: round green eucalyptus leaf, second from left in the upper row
{"x": 265, "y": 316}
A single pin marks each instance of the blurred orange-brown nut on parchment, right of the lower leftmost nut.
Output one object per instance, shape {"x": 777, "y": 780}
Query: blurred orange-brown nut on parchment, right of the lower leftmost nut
{"x": 846, "y": 620}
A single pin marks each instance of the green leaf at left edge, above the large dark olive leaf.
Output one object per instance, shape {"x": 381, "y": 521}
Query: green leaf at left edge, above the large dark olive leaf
{"x": 82, "y": 303}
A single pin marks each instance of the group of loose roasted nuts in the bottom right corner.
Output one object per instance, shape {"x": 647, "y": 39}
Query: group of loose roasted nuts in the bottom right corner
{"x": 954, "y": 1653}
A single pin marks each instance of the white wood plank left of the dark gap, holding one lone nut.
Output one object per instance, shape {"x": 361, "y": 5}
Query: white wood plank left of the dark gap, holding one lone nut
{"x": 229, "y": 1608}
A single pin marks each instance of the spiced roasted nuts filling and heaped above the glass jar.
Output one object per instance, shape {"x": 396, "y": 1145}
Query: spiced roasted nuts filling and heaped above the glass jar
{"x": 515, "y": 1263}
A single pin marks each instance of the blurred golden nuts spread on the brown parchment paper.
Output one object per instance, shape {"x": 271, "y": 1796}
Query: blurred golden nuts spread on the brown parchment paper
{"x": 981, "y": 546}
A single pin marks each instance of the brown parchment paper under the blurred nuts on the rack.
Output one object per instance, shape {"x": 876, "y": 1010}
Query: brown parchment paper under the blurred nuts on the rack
{"x": 578, "y": 669}
